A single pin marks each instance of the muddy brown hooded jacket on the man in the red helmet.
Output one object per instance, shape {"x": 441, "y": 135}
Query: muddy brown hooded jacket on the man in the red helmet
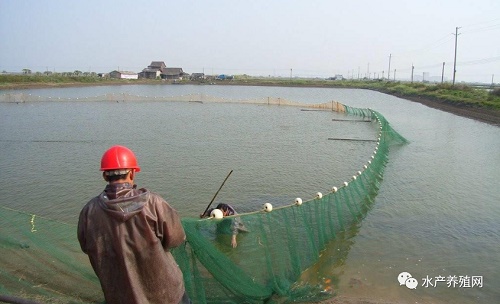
{"x": 127, "y": 234}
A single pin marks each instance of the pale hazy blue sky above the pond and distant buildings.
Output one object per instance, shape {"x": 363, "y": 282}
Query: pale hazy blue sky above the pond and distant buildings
{"x": 277, "y": 38}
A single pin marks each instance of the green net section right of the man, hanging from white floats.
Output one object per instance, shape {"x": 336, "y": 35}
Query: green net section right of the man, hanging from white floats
{"x": 278, "y": 246}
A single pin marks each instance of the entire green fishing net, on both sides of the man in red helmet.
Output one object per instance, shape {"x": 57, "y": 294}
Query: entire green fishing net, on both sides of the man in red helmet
{"x": 277, "y": 249}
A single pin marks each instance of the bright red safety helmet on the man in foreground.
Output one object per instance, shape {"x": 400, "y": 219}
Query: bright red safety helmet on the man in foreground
{"x": 119, "y": 157}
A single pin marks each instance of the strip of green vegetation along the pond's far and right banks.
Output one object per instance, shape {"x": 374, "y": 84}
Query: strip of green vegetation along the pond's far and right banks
{"x": 460, "y": 95}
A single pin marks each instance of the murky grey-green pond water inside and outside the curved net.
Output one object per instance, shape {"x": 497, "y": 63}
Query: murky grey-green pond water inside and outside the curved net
{"x": 436, "y": 215}
